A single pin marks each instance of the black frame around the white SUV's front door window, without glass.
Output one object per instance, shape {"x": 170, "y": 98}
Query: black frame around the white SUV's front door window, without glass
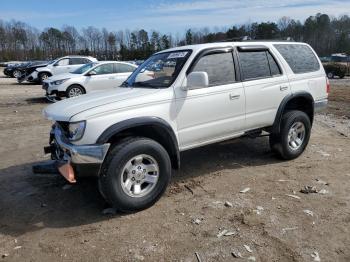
{"x": 216, "y": 50}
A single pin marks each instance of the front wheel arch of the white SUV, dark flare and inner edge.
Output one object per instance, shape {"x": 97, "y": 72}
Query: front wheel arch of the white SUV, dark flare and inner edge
{"x": 151, "y": 127}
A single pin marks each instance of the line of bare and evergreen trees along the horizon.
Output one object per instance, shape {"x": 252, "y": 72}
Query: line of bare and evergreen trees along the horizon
{"x": 20, "y": 41}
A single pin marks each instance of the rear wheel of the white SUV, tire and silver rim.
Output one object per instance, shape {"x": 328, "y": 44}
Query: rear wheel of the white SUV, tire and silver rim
{"x": 294, "y": 135}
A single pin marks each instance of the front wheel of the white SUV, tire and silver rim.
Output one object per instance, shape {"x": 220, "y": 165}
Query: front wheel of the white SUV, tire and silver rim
{"x": 135, "y": 174}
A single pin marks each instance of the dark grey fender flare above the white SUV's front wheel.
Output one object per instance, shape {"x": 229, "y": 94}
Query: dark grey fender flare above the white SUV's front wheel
{"x": 155, "y": 122}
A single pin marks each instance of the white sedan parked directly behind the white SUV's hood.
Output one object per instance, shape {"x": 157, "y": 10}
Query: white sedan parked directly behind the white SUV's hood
{"x": 91, "y": 77}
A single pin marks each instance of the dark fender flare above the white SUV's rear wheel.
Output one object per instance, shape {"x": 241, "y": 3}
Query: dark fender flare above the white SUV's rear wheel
{"x": 277, "y": 123}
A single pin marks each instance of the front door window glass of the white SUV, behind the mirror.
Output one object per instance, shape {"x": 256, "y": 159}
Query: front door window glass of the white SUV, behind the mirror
{"x": 218, "y": 66}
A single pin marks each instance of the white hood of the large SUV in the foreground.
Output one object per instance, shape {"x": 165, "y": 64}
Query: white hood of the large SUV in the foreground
{"x": 66, "y": 109}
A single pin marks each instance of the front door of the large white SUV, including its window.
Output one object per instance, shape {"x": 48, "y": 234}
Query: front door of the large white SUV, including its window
{"x": 212, "y": 113}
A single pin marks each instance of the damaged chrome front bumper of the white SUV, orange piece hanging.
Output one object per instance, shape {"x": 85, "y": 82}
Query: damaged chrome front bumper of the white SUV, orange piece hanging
{"x": 83, "y": 159}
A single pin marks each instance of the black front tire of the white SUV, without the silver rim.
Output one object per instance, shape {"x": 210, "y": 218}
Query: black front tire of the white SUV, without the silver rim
{"x": 110, "y": 181}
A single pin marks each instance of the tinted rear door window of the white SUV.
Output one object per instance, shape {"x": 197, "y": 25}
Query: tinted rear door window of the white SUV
{"x": 258, "y": 64}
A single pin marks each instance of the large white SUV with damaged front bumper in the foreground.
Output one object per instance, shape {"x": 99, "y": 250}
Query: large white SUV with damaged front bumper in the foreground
{"x": 131, "y": 137}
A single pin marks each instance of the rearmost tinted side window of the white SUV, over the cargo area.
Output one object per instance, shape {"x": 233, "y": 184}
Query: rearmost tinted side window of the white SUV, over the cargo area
{"x": 300, "y": 58}
